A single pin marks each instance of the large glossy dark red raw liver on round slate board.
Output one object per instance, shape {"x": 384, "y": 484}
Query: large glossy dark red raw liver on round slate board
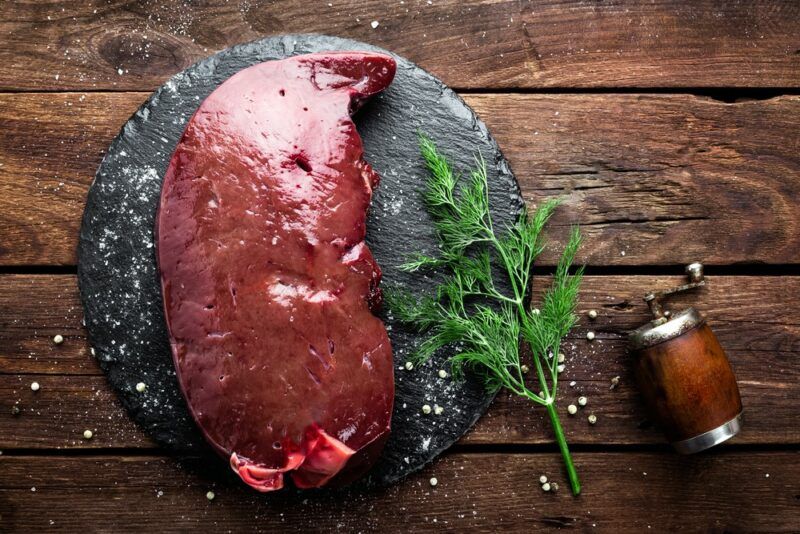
{"x": 267, "y": 282}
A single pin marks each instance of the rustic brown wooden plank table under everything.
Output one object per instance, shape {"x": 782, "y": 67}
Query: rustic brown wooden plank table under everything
{"x": 672, "y": 128}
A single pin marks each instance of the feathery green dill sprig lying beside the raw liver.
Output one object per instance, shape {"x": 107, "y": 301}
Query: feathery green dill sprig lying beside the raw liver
{"x": 469, "y": 311}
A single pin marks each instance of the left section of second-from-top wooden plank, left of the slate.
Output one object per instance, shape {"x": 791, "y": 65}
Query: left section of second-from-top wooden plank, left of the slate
{"x": 50, "y": 147}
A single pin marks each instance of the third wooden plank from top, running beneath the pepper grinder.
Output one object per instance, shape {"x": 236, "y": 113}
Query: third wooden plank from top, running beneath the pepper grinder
{"x": 754, "y": 318}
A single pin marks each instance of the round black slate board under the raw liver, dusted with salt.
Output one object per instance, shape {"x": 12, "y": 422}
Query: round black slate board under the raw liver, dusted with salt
{"x": 117, "y": 271}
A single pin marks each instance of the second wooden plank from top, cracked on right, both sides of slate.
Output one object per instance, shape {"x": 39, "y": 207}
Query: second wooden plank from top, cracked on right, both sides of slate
{"x": 653, "y": 179}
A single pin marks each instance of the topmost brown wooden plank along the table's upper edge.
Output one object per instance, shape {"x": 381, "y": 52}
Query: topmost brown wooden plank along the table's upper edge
{"x": 64, "y": 45}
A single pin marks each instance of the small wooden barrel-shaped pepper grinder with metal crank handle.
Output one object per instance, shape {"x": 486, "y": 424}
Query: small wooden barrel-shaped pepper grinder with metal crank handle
{"x": 684, "y": 376}
